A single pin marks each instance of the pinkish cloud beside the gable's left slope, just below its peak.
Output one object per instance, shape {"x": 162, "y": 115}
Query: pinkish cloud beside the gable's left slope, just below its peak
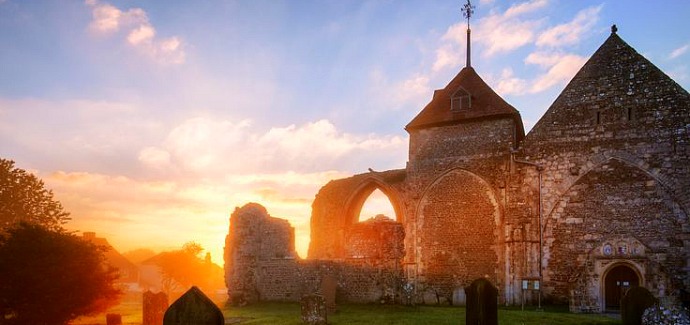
{"x": 560, "y": 68}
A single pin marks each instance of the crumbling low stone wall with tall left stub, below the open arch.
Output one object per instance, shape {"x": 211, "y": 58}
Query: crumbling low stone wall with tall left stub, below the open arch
{"x": 257, "y": 270}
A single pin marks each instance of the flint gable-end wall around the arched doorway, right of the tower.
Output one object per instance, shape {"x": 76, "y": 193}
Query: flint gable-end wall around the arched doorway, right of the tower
{"x": 614, "y": 148}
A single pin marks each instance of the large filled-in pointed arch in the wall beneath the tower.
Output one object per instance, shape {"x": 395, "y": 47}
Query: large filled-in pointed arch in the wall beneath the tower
{"x": 457, "y": 232}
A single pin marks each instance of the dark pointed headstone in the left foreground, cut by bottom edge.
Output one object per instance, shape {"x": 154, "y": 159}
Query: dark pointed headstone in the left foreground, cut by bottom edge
{"x": 193, "y": 308}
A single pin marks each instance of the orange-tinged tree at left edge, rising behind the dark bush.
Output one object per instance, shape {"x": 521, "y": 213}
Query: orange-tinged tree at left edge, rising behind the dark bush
{"x": 23, "y": 197}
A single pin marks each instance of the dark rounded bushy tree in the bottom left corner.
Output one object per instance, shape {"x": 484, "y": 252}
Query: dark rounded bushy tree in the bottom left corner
{"x": 51, "y": 277}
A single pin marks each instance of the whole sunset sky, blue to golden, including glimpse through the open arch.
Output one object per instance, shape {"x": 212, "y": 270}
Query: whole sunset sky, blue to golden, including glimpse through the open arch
{"x": 152, "y": 121}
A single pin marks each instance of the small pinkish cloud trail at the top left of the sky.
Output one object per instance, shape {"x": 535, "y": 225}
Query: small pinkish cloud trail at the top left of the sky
{"x": 140, "y": 34}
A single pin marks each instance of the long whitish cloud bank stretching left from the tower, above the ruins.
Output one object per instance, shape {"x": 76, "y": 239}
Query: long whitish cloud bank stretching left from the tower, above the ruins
{"x": 204, "y": 145}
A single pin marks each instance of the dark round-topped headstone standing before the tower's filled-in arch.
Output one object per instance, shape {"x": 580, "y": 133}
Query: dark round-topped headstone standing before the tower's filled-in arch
{"x": 482, "y": 305}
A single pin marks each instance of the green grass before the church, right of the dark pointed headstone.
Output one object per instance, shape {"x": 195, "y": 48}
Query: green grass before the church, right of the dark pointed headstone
{"x": 289, "y": 313}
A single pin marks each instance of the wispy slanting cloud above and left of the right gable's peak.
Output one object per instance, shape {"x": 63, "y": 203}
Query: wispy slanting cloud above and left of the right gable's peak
{"x": 571, "y": 32}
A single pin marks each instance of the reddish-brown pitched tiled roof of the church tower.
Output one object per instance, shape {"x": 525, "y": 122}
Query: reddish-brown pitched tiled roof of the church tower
{"x": 486, "y": 104}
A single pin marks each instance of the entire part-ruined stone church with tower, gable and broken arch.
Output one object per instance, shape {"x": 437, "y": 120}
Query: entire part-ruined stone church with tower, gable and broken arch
{"x": 591, "y": 202}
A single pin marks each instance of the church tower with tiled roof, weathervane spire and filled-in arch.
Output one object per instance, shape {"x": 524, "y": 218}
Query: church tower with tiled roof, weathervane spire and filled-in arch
{"x": 460, "y": 146}
